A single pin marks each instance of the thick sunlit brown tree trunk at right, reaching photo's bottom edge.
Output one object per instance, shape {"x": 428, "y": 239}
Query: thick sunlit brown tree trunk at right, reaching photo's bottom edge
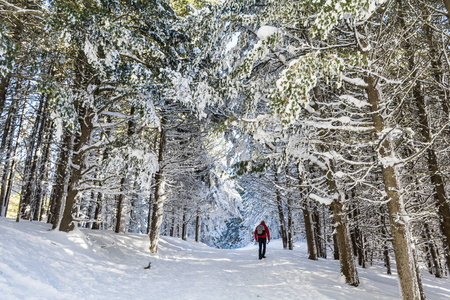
{"x": 410, "y": 282}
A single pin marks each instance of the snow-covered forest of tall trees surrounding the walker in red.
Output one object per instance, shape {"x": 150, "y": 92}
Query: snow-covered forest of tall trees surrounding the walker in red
{"x": 197, "y": 119}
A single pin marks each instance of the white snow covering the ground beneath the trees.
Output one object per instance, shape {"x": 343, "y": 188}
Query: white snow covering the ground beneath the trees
{"x": 37, "y": 263}
